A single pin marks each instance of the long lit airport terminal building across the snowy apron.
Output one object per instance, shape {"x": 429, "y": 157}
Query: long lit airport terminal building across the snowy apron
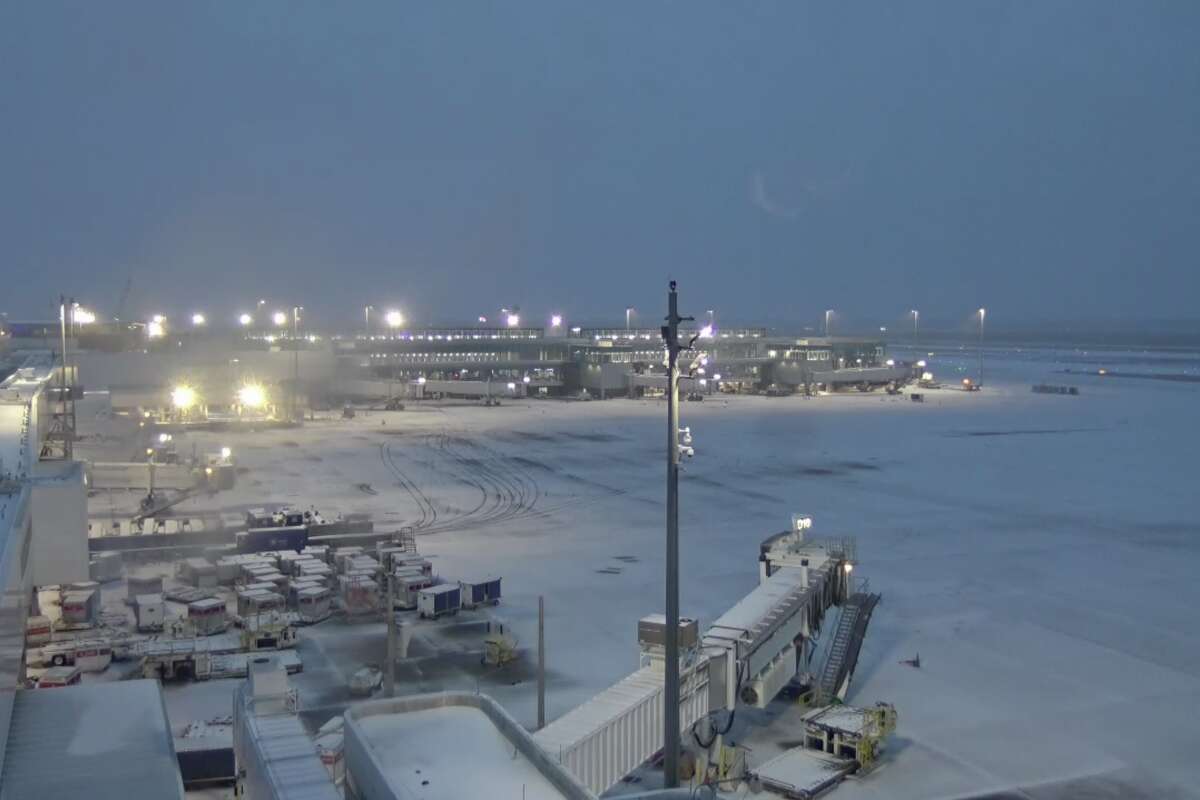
{"x": 287, "y": 372}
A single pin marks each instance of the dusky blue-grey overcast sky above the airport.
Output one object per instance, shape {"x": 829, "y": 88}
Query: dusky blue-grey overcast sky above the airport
{"x": 1042, "y": 159}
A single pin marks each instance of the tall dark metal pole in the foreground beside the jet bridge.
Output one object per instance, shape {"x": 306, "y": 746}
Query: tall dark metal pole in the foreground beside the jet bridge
{"x": 671, "y": 679}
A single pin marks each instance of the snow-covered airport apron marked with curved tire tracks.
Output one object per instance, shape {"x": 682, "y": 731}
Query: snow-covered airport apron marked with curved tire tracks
{"x": 1037, "y": 551}
